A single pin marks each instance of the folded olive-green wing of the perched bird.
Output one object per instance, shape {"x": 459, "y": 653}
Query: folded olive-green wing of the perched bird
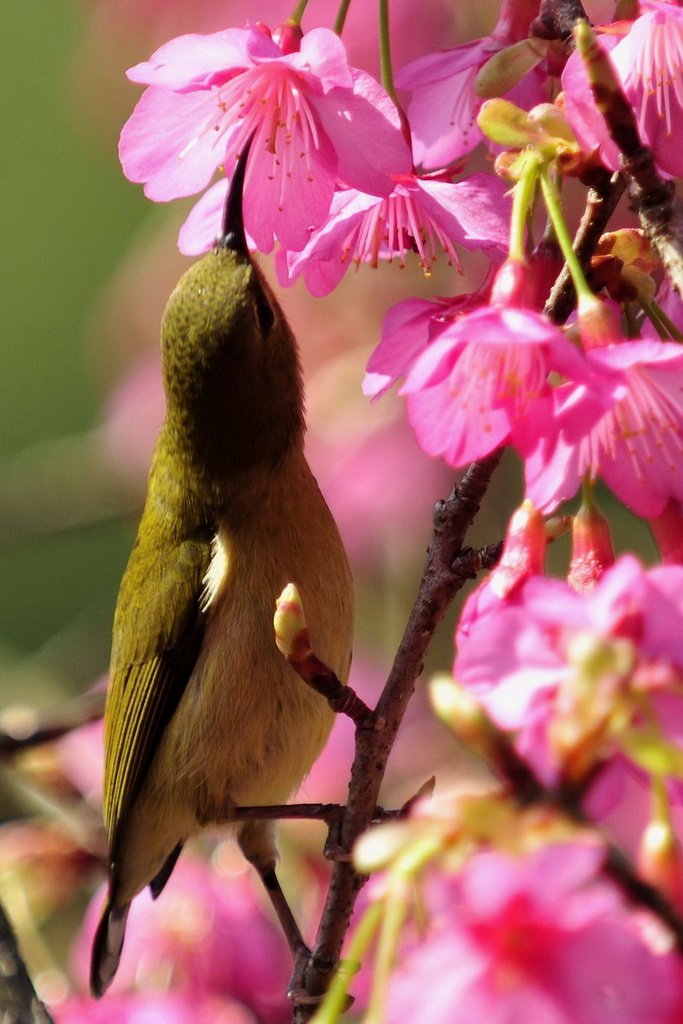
{"x": 158, "y": 632}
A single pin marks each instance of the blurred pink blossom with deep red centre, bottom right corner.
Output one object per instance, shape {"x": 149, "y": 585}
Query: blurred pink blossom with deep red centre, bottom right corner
{"x": 536, "y": 940}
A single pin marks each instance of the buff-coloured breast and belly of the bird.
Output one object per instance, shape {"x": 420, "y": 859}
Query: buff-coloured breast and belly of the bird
{"x": 248, "y": 729}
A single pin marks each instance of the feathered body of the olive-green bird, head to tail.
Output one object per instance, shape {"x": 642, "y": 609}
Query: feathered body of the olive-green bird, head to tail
{"x": 203, "y": 713}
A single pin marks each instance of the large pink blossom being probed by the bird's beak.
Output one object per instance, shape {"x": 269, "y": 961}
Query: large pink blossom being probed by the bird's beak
{"x": 315, "y": 119}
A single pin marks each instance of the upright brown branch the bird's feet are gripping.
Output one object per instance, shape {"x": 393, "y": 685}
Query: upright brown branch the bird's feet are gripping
{"x": 439, "y": 586}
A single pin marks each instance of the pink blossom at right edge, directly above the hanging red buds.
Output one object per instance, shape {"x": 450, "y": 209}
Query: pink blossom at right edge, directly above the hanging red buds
{"x": 635, "y": 447}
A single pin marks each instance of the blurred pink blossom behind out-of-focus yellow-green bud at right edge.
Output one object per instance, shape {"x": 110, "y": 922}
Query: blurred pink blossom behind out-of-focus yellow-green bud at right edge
{"x": 520, "y": 658}
